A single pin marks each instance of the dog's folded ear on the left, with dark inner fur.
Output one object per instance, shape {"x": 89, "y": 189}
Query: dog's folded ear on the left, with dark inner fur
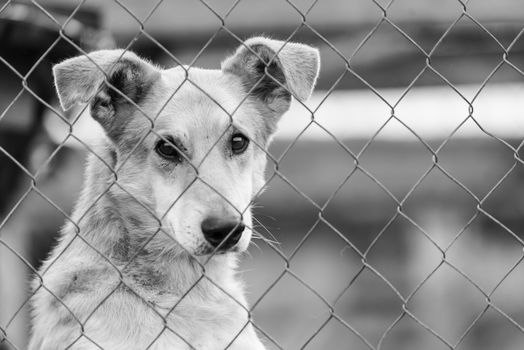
{"x": 111, "y": 80}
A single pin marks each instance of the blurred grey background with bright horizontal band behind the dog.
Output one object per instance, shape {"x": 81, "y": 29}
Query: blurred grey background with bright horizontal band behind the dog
{"x": 398, "y": 209}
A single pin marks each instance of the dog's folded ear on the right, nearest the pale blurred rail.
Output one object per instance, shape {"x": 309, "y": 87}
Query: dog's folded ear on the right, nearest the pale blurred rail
{"x": 273, "y": 71}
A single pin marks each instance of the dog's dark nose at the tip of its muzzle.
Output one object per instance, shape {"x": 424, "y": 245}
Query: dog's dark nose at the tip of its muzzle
{"x": 225, "y": 231}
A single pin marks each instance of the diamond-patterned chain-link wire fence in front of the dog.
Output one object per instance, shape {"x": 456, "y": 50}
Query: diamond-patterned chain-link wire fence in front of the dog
{"x": 354, "y": 157}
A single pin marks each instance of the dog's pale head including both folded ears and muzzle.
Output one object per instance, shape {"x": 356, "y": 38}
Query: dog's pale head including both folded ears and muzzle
{"x": 190, "y": 143}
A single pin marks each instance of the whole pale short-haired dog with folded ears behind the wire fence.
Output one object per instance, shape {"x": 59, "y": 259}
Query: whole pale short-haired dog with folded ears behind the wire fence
{"x": 148, "y": 257}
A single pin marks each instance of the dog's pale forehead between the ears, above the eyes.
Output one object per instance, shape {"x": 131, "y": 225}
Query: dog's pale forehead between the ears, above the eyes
{"x": 201, "y": 98}
